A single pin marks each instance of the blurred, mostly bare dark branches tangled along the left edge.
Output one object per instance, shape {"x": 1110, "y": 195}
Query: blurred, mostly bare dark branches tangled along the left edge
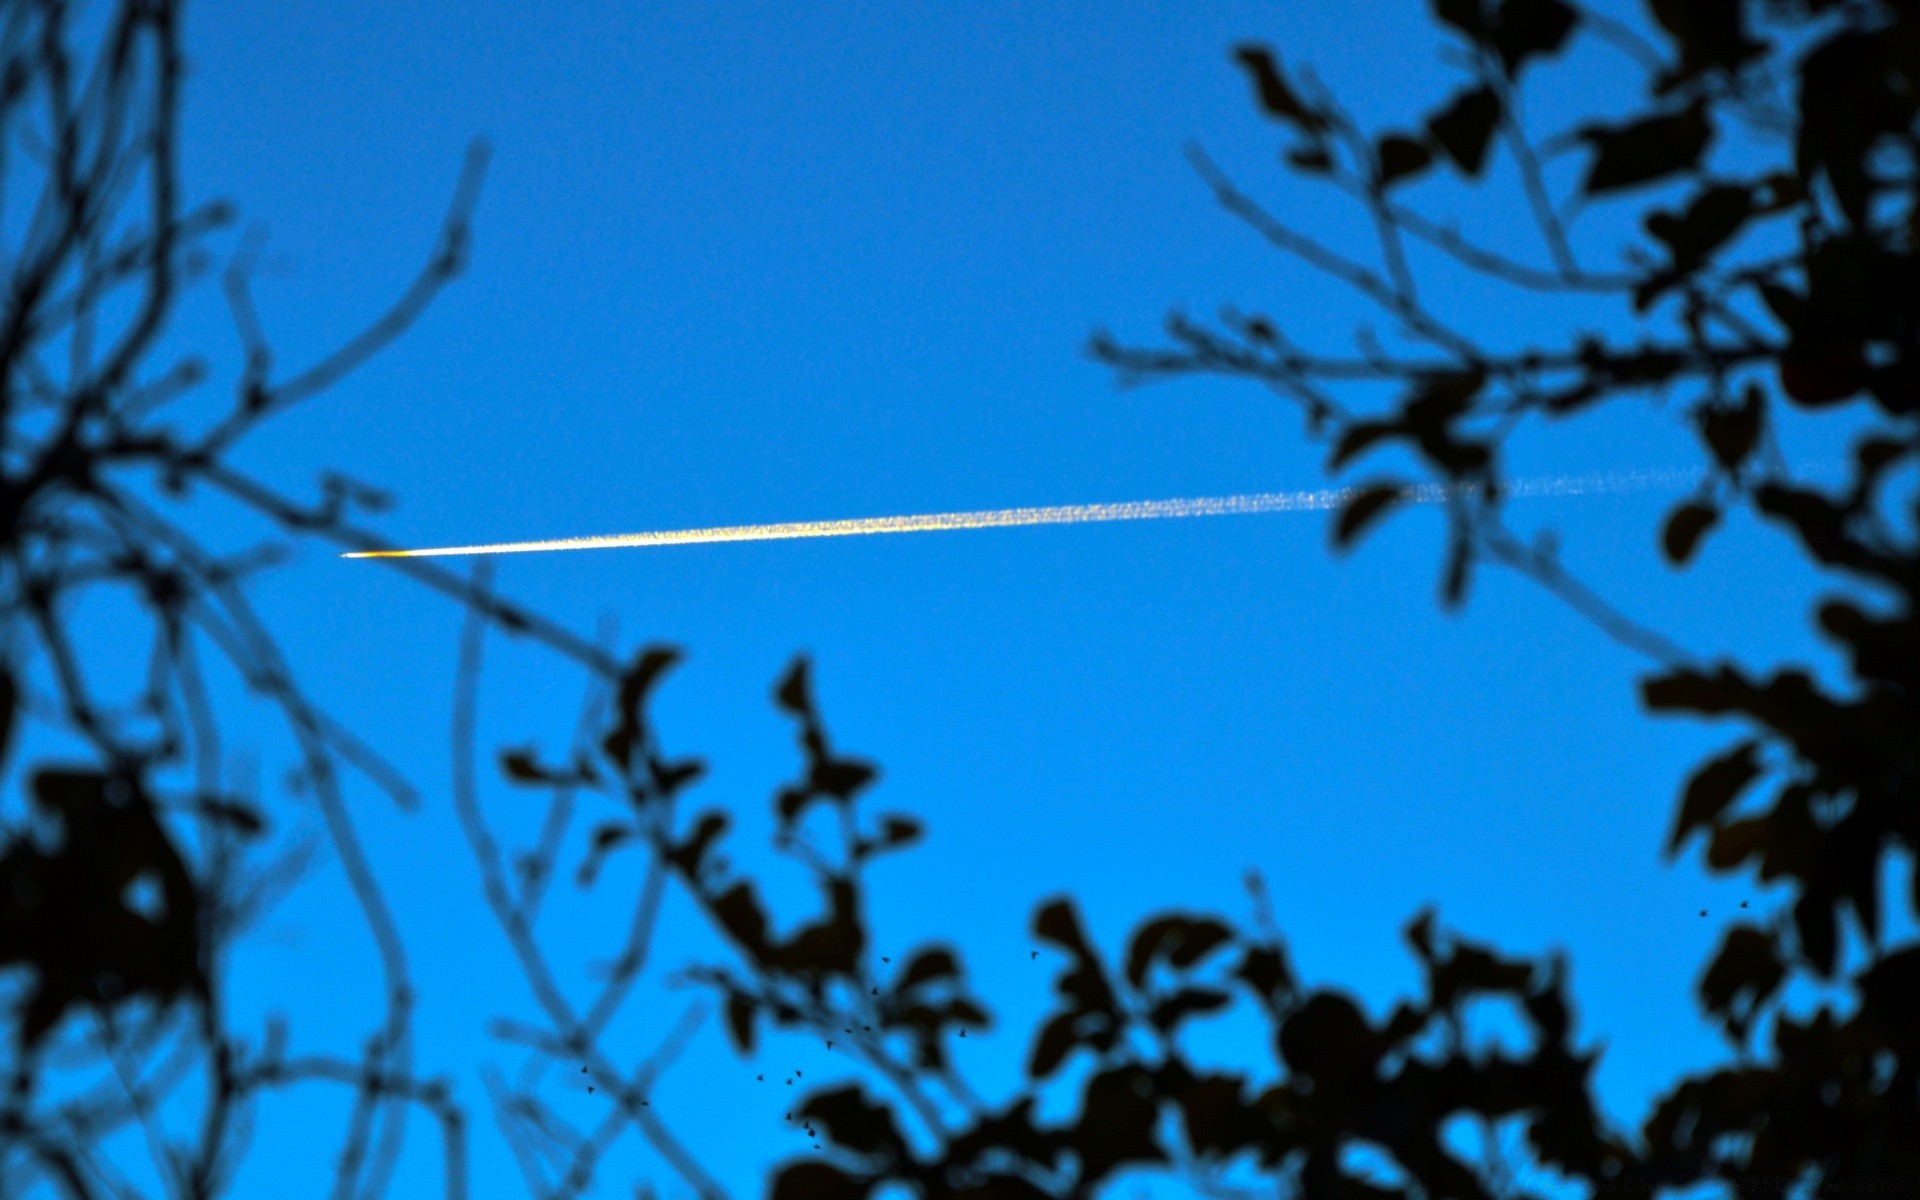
{"x": 135, "y": 863}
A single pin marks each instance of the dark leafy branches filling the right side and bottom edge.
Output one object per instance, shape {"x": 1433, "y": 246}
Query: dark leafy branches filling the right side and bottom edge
{"x": 1787, "y": 277}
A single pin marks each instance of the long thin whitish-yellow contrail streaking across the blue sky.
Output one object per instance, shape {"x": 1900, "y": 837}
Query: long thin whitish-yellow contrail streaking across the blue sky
{"x": 1140, "y": 510}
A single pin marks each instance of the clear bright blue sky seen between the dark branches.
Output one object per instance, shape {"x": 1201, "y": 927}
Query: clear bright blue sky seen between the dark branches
{"x": 746, "y": 264}
